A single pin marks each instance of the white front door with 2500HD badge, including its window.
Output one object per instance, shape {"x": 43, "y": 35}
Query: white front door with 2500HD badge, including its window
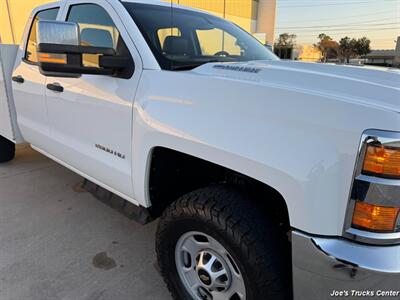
{"x": 91, "y": 118}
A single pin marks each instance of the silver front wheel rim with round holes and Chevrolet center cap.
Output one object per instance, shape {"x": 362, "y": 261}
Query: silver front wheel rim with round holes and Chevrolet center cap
{"x": 206, "y": 269}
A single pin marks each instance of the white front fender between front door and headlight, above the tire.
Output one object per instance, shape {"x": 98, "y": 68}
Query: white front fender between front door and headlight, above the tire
{"x": 304, "y": 145}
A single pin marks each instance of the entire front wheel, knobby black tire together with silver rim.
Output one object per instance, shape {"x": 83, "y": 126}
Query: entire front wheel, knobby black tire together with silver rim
{"x": 212, "y": 244}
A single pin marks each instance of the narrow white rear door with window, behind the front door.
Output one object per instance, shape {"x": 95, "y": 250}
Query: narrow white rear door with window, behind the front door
{"x": 29, "y": 86}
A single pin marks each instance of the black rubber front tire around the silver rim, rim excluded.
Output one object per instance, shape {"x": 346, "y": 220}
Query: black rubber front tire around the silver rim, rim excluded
{"x": 255, "y": 242}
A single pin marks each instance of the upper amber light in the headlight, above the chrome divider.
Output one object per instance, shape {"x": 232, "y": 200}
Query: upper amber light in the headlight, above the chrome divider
{"x": 382, "y": 161}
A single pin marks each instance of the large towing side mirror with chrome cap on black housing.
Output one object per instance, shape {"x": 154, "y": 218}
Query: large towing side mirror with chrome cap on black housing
{"x": 60, "y": 53}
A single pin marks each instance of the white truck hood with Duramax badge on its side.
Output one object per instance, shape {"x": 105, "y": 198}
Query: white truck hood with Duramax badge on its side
{"x": 376, "y": 87}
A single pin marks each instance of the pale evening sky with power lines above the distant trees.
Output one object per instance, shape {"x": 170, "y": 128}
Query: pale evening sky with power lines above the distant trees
{"x": 378, "y": 20}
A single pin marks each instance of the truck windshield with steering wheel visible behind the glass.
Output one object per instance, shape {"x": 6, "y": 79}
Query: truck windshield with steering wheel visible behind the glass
{"x": 184, "y": 39}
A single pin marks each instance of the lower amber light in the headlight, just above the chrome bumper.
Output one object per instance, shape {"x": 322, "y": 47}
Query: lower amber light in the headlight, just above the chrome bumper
{"x": 375, "y": 218}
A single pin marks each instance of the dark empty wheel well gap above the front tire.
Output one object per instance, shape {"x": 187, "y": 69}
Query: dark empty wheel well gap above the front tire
{"x": 174, "y": 174}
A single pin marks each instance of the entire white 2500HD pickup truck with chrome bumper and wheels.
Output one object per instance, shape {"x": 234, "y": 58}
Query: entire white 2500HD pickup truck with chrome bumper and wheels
{"x": 272, "y": 179}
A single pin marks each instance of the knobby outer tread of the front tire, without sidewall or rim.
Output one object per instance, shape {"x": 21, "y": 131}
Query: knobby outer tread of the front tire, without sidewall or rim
{"x": 257, "y": 237}
